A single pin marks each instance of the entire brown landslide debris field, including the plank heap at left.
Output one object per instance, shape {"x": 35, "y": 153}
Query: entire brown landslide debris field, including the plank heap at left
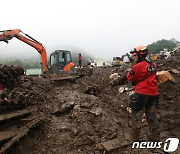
{"x": 93, "y": 113}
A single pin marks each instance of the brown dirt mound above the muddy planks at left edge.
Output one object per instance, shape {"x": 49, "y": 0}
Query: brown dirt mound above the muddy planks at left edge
{"x": 26, "y": 91}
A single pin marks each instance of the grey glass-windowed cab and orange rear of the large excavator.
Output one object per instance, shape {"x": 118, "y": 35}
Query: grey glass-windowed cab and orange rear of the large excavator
{"x": 59, "y": 61}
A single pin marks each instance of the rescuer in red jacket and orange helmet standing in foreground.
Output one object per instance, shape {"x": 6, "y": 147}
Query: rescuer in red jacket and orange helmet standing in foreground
{"x": 144, "y": 100}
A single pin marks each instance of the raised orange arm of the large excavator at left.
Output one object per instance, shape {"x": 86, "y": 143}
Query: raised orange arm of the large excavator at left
{"x": 7, "y": 35}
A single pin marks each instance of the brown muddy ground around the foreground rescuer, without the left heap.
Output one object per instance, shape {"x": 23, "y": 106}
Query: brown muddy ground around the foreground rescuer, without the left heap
{"x": 95, "y": 122}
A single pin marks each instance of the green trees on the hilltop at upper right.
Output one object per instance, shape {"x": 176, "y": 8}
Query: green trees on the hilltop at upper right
{"x": 159, "y": 45}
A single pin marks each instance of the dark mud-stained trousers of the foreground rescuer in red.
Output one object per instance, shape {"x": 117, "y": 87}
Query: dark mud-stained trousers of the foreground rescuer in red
{"x": 148, "y": 107}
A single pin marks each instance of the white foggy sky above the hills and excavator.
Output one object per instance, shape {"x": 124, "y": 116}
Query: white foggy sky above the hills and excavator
{"x": 101, "y": 28}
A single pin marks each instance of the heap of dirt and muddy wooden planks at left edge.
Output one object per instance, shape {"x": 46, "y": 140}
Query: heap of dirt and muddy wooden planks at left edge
{"x": 19, "y": 105}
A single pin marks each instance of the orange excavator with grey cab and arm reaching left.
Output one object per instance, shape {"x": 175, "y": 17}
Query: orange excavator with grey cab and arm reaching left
{"x": 60, "y": 65}
